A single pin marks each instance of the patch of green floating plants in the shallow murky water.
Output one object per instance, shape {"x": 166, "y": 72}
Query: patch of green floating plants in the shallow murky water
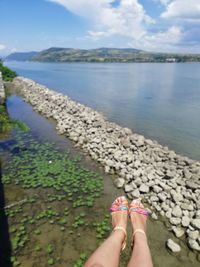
{"x": 58, "y": 204}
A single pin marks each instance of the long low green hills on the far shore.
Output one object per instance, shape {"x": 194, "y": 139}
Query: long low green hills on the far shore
{"x": 60, "y": 54}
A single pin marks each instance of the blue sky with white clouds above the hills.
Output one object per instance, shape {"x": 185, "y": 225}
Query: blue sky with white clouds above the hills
{"x": 150, "y": 25}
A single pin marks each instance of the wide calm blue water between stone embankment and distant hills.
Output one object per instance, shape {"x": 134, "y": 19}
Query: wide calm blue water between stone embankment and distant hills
{"x": 160, "y": 101}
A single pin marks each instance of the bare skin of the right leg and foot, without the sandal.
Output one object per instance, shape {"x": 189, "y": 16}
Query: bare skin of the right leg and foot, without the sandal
{"x": 141, "y": 256}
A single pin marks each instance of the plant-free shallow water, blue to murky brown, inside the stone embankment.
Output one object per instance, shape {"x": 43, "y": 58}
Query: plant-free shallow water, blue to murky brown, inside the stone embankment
{"x": 68, "y": 246}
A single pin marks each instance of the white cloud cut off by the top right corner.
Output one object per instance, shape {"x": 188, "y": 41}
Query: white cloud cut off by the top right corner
{"x": 186, "y": 9}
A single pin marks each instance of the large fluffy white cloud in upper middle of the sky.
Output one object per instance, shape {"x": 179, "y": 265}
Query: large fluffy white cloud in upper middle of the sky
{"x": 127, "y": 20}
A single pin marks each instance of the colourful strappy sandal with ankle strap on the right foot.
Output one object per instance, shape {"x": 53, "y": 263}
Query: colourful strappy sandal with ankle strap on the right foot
{"x": 136, "y": 206}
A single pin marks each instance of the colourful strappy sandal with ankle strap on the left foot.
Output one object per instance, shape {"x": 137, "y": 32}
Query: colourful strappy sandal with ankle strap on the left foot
{"x": 123, "y": 206}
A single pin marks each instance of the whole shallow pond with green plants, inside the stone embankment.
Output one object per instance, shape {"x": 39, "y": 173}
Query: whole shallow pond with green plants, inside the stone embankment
{"x": 49, "y": 226}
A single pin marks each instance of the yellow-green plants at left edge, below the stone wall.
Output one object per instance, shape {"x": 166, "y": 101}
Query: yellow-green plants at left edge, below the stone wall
{"x": 7, "y": 124}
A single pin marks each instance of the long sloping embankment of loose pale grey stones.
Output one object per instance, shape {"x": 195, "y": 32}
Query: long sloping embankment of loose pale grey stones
{"x": 170, "y": 183}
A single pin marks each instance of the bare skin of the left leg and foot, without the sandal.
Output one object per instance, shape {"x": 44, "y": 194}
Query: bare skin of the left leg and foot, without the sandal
{"x": 107, "y": 255}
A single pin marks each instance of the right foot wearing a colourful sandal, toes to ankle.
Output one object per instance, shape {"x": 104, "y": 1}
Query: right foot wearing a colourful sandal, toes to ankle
{"x": 138, "y": 215}
